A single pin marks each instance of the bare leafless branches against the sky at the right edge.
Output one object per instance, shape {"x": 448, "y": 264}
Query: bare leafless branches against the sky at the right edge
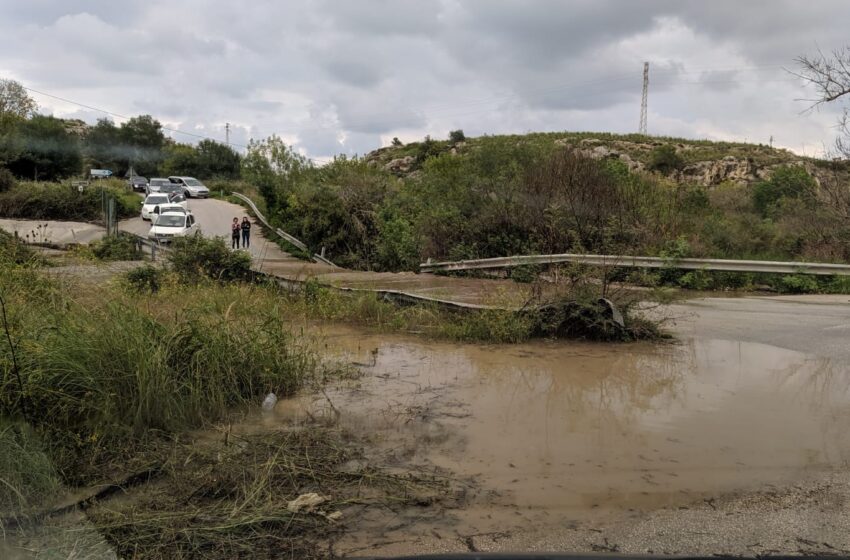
{"x": 830, "y": 74}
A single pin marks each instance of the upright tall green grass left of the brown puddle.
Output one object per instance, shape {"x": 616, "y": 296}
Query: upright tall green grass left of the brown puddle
{"x": 115, "y": 366}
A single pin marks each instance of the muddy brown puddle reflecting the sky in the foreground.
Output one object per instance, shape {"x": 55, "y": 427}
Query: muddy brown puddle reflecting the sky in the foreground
{"x": 568, "y": 426}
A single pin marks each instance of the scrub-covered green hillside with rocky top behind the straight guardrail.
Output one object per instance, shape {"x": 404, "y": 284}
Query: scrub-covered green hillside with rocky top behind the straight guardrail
{"x": 558, "y": 192}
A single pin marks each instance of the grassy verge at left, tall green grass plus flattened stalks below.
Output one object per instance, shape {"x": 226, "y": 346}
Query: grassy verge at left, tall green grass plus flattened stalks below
{"x": 112, "y": 381}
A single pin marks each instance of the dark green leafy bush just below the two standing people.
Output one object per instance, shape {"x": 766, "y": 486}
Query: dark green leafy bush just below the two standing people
{"x": 196, "y": 256}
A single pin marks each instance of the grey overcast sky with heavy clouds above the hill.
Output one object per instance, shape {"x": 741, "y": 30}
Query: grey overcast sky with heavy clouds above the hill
{"x": 345, "y": 76}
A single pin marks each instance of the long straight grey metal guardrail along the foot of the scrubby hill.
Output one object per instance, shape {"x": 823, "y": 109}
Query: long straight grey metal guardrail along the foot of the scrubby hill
{"x": 726, "y": 265}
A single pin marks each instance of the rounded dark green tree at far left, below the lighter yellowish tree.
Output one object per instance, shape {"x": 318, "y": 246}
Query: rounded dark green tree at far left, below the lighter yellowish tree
{"x": 48, "y": 150}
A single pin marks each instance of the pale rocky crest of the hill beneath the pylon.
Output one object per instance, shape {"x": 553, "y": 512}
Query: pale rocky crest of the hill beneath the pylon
{"x": 696, "y": 161}
